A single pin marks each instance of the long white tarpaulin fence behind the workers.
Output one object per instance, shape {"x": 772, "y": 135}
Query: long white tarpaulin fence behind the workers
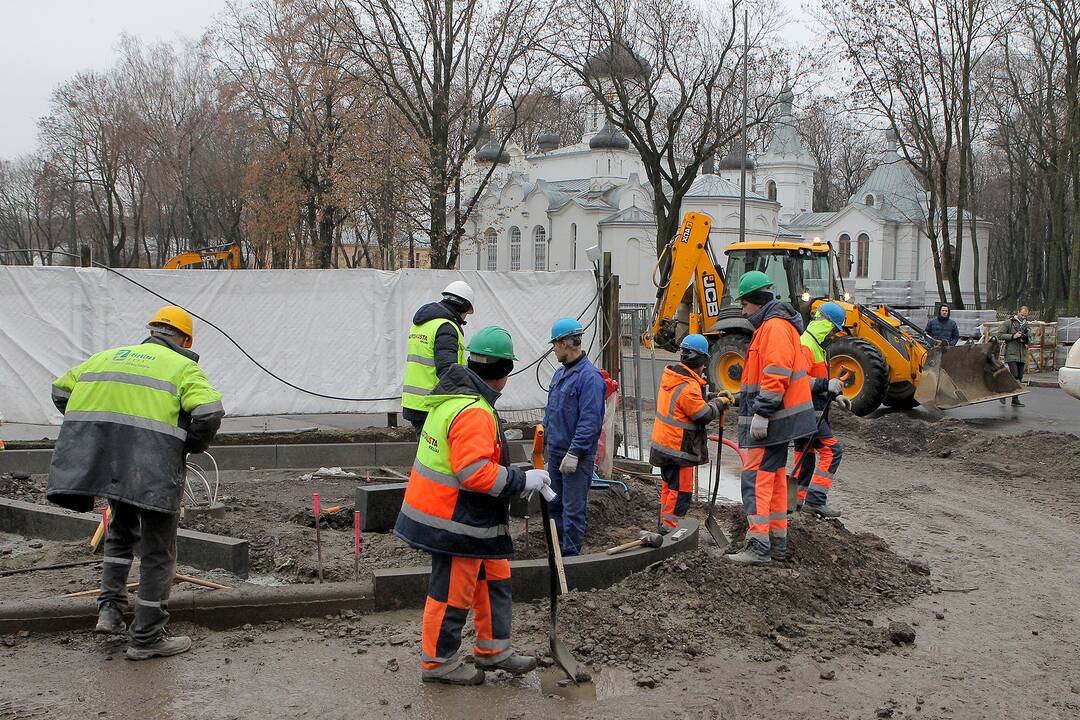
{"x": 335, "y": 332}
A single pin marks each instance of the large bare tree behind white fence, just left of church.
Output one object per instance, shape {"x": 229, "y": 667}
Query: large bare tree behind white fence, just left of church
{"x": 449, "y": 67}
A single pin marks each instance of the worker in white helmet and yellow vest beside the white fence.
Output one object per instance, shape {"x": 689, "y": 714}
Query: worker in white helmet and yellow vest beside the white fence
{"x": 436, "y": 344}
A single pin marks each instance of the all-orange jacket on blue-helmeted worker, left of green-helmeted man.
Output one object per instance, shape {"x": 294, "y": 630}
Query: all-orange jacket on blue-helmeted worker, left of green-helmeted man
{"x": 679, "y": 428}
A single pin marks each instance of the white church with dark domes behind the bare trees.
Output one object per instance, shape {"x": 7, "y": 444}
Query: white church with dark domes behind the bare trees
{"x": 544, "y": 213}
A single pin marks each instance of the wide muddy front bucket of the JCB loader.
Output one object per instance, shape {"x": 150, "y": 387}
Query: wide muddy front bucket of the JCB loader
{"x": 964, "y": 375}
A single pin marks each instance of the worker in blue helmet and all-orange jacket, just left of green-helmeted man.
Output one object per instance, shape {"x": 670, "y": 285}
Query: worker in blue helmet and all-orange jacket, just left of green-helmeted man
{"x": 680, "y": 441}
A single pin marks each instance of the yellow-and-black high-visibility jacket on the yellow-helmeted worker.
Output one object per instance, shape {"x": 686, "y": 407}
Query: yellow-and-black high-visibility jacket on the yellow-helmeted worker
{"x": 131, "y": 416}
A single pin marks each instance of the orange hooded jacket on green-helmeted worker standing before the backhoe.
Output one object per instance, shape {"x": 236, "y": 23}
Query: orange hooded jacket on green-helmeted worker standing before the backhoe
{"x": 775, "y": 383}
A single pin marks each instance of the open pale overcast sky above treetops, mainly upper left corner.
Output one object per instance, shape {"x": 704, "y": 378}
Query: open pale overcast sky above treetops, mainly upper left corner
{"x": 45, "y": 43}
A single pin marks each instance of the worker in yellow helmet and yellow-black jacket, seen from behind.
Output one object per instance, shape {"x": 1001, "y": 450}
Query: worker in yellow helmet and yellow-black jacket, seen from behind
{"x": 131, "y": 417}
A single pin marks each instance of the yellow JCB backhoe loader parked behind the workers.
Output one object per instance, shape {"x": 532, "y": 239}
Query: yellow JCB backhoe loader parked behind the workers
{"x": 883, "y": 357}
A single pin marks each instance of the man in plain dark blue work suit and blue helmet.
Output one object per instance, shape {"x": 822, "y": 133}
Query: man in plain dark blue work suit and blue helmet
{"x": 573, "y": 422}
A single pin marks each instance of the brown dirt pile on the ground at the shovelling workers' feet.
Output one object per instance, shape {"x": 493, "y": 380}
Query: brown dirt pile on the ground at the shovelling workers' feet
{"x": 700, "y": 603}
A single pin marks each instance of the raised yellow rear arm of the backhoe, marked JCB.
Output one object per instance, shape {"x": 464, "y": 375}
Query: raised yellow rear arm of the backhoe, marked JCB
{"x": 690, "y": 287}
